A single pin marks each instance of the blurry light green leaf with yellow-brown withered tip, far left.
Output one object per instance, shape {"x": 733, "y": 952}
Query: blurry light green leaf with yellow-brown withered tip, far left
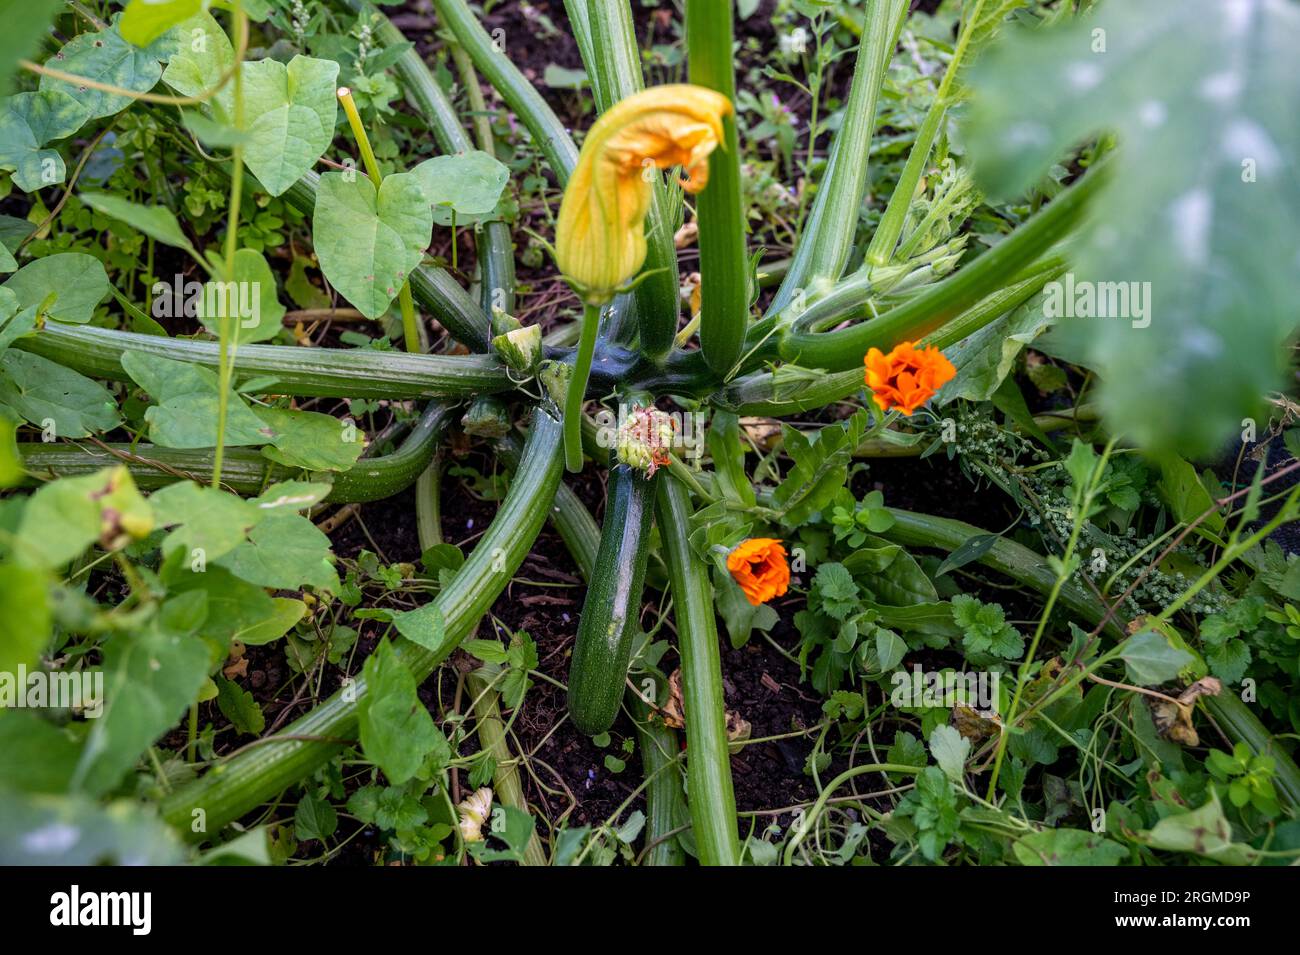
{"x": 67, "y": 516}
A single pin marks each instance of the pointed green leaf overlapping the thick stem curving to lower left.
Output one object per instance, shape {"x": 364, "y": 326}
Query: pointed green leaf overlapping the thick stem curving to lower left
{"x": 397, "y": 731}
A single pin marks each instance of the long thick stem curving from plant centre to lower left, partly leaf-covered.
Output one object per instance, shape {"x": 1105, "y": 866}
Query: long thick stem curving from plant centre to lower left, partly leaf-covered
{"x": 237, "y": 785}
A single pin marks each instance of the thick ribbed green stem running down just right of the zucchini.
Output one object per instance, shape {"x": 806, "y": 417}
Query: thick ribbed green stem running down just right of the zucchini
{"x": 710, "y": 795}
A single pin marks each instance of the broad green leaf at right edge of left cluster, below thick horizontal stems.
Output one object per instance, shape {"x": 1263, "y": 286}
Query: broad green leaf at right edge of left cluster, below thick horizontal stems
{"x": 284, "y": 552}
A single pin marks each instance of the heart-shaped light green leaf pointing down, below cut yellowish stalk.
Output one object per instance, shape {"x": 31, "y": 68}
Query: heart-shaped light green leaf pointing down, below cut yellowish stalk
{"x": 369, "y": 244}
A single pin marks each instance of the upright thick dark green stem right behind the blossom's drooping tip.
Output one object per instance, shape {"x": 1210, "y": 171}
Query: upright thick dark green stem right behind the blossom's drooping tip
{"x": 723, "y": 264}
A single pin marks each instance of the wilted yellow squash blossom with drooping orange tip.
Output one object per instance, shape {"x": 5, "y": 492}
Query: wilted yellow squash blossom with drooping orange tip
{"x": 600, "y": 240}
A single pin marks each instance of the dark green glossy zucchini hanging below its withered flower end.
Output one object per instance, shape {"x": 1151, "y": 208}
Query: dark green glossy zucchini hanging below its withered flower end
{"x": 613, "y": 604}
